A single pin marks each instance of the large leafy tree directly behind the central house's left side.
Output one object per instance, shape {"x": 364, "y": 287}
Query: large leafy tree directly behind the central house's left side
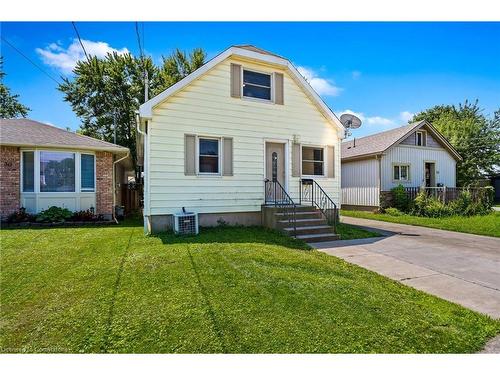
{"x": 104, "y": 90}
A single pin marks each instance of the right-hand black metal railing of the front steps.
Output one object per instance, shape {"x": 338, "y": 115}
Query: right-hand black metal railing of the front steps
{"x": 311, "y": 193}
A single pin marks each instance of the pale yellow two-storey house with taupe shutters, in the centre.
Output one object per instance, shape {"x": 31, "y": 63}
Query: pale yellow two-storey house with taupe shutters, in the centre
{"x": 209, "y": 141}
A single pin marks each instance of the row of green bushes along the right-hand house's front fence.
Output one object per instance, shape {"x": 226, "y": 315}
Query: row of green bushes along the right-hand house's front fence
{"x": 429, "y": 206}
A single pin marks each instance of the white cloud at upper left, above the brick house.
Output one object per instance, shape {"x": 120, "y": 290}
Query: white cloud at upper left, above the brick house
{"x": 65, "y": 59}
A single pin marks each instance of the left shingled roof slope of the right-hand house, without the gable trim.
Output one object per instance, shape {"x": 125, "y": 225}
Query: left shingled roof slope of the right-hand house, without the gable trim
{"x": 376, "y": 143}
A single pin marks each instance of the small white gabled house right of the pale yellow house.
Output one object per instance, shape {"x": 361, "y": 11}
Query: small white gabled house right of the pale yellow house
{"x": 415, "y": 155}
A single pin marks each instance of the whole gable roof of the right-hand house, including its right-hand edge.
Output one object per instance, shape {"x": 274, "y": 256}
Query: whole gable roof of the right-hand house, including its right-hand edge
{"x": 379, "y": 143}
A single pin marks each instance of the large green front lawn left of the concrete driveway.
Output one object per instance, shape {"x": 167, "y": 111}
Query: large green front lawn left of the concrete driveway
{"x": 250, "y": 290}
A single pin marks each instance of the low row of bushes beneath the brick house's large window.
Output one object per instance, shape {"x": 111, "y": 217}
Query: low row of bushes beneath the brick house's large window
{"x": 53, "y": 215}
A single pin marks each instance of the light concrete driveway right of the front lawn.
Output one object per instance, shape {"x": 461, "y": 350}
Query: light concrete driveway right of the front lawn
{"x": 459, "y": 267}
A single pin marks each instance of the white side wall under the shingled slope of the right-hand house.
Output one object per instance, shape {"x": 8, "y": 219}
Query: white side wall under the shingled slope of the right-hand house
{"x": 360, "y": 183}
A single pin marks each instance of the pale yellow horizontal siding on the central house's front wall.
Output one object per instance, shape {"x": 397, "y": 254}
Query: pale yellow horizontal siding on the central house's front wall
{"x": 205, "y": 107}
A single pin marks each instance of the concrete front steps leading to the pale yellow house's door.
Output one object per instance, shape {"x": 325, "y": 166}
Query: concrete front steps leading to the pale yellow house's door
{"x": 311, "y": 226}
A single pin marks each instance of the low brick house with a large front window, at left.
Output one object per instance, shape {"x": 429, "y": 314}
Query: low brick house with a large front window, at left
{"x": 75, "y": 171}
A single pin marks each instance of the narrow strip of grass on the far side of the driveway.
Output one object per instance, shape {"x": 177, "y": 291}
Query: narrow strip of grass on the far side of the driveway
{"x": 488, "y": 225}
